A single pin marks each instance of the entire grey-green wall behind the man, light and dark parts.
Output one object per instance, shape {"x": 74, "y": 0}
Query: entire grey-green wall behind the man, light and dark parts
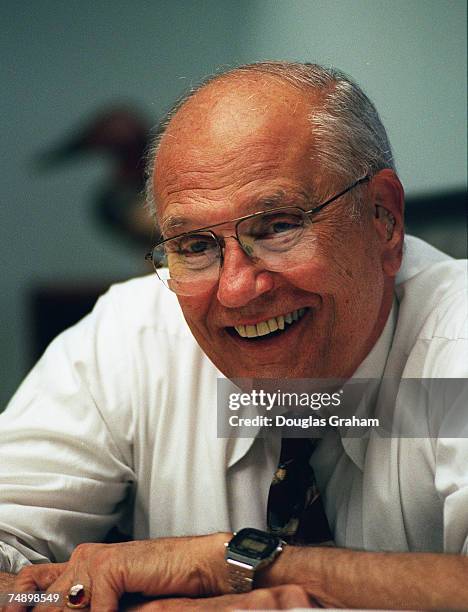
{"x": 61, "y": 60}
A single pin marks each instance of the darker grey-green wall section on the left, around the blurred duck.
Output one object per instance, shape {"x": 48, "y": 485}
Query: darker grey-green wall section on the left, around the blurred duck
{"x": 61, "y": 61}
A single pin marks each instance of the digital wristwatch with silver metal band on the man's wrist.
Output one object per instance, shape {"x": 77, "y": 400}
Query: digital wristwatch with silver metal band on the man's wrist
{"x": 248, "y": 551}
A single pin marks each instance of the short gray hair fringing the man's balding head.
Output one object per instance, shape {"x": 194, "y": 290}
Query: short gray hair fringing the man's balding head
{"x": 350, "y": 140}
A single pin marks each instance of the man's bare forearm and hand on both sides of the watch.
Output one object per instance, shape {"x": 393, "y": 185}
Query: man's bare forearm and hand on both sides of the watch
{"x": 194, "y": 567}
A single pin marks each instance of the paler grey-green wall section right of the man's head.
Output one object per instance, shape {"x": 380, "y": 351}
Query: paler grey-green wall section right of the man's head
{"x": 410, "y": 57}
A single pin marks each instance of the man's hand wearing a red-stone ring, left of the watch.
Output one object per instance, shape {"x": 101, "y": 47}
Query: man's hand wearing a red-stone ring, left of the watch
{"x": 191, "y": 566}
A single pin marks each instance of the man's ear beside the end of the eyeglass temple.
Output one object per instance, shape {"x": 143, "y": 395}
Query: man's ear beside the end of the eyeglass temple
{"x": 387, "y": 196}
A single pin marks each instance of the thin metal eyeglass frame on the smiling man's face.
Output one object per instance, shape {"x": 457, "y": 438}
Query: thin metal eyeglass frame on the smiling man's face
{"x": 238, "y": 220}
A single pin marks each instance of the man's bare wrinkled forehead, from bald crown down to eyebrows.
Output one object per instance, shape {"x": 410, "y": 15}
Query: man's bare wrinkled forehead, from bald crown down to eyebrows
{"x": 231, "y": 145}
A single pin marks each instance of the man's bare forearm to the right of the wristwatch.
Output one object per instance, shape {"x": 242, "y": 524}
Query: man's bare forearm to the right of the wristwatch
{"x": 346, "y": 578}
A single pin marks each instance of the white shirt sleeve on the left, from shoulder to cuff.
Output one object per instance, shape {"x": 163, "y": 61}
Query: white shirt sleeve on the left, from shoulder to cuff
{"x": 65, "y": 444}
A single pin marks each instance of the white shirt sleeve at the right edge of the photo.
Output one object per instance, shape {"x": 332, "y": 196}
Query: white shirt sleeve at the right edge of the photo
{"x": 446, "y": 373}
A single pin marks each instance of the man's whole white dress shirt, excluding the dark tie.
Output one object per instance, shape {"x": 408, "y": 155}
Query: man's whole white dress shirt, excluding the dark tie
{"x": 116, "y": 425}
